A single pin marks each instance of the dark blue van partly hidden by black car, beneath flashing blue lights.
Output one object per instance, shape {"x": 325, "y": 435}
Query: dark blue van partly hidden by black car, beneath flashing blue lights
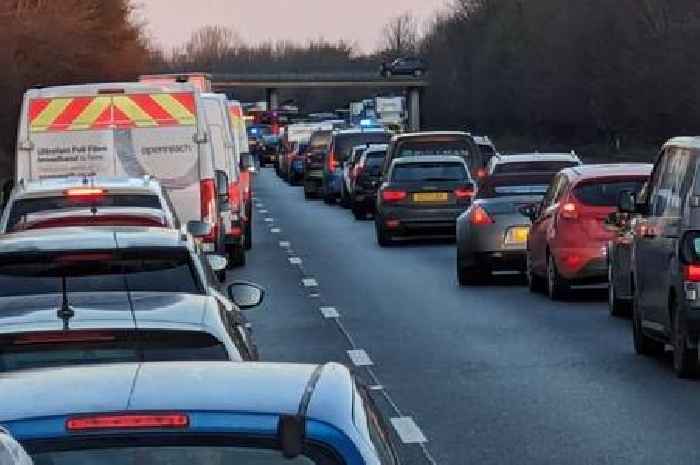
{"x": 339, "y": 152}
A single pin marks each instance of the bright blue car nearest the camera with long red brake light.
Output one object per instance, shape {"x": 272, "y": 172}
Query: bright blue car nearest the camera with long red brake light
{"x": 194, "y": 413}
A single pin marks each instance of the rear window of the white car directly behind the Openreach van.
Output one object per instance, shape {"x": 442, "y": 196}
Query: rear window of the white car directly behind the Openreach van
{"x": 22, "y": 209}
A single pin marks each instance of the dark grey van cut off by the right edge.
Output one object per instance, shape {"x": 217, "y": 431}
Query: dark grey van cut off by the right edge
{"x": 665, "y": 261}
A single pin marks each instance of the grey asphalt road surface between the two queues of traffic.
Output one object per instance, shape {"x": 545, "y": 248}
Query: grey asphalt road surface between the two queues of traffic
{"x": 491, "y": 374}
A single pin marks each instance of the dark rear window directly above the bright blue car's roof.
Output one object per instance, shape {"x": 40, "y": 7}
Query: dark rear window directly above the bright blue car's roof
{"x": 66, "y": 348}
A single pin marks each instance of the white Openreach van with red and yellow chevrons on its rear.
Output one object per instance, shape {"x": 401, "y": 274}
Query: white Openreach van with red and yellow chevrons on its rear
{"x": 128, "y": 129}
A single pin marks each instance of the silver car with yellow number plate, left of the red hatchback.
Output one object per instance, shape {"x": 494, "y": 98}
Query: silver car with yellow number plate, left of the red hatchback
{"x": 492, "y": 233}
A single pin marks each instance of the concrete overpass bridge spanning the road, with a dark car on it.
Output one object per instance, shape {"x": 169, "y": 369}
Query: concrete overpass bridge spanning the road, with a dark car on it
{"x": 271, "y": 83}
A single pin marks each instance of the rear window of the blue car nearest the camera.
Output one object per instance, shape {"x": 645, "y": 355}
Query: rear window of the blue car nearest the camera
{"x": 178, "y": 449}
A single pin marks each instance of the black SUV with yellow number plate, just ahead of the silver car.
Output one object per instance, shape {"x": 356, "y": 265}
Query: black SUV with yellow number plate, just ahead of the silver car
{"x": 422, "y": 196}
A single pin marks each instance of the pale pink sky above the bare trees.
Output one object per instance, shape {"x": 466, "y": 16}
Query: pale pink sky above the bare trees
{"x": 170, "y": 22}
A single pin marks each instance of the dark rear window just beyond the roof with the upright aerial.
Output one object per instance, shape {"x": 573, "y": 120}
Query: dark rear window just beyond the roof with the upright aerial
{"x": 166, "y": 269}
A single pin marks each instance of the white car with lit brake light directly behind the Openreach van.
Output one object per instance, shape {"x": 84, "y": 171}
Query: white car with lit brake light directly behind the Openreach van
{"x": 88, "y": 201}
